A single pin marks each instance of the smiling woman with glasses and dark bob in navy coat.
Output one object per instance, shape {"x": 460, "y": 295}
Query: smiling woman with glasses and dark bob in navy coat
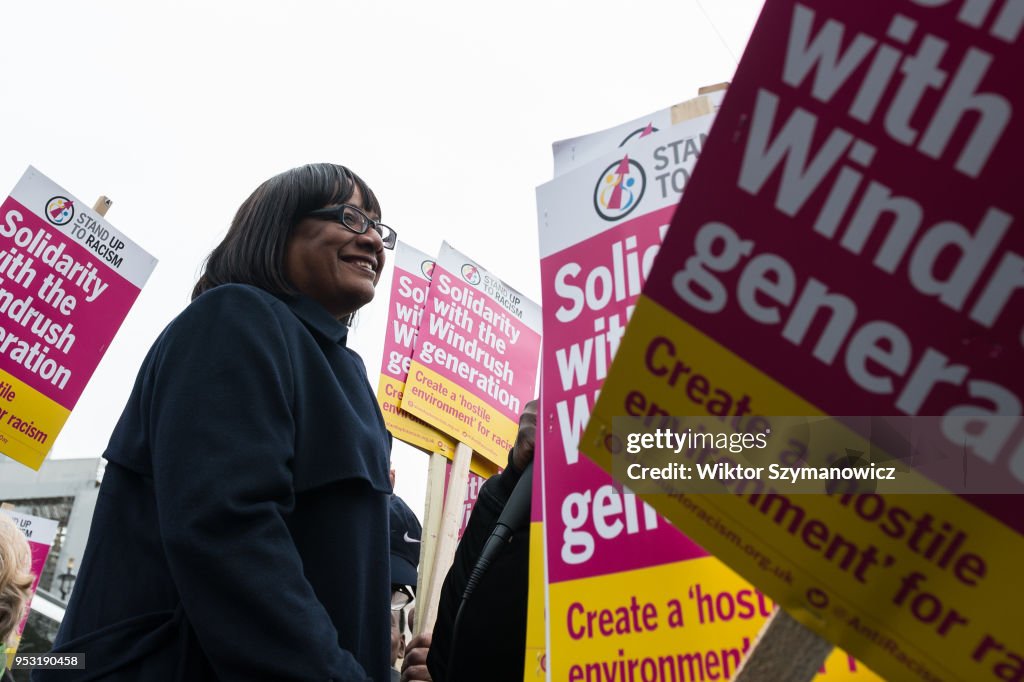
{"x": 242, "y": 527}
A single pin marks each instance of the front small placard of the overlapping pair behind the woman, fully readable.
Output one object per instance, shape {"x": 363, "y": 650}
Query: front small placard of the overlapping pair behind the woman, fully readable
{"x": 475, "y": 366}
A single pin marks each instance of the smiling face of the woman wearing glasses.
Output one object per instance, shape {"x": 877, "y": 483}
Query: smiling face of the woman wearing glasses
{"x": 333, "y": 266}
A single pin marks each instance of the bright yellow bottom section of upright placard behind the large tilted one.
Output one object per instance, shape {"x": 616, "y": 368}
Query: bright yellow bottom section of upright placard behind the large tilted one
{"x": 687, "y": 621}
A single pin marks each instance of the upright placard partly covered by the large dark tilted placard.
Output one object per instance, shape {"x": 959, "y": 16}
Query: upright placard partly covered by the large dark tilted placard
{"x": 629, "y": 596}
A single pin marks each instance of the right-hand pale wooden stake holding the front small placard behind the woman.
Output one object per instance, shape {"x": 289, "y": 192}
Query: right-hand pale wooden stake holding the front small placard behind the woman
{"x": 448, "y": 539}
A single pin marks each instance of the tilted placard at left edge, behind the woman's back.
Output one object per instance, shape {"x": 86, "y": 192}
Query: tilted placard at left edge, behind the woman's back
{"x": 69, "y": 279}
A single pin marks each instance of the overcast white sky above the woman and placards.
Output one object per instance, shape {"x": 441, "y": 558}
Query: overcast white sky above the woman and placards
{"x": 178, "y": 111}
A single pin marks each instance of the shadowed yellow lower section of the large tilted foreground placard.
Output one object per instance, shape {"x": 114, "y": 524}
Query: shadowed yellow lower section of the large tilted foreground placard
{"x": 916, "y": 586}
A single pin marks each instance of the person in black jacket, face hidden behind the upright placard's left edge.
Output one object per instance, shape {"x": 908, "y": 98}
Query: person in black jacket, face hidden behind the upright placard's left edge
{"x": 490, "y": 642}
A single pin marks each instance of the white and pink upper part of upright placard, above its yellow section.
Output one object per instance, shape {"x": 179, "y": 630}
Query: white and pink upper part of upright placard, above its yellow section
{"x": 601, "y": 229}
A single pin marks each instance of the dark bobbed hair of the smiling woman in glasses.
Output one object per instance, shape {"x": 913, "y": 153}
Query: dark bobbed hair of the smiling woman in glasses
{"x": 253, "y": 250}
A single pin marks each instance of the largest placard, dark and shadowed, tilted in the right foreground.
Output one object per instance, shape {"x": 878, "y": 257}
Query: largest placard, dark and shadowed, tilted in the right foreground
{"x": 845, "y": 248}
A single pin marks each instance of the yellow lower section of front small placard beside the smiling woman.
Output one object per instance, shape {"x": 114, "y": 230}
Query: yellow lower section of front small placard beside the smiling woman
{"x": 459, "y": 413}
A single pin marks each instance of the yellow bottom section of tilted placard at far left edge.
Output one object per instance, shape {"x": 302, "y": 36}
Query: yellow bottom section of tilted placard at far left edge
{"x": 29, "y": 422}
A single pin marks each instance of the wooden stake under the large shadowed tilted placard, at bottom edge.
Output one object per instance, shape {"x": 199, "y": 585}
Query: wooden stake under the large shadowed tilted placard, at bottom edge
{"x": 785, "y": 650}
